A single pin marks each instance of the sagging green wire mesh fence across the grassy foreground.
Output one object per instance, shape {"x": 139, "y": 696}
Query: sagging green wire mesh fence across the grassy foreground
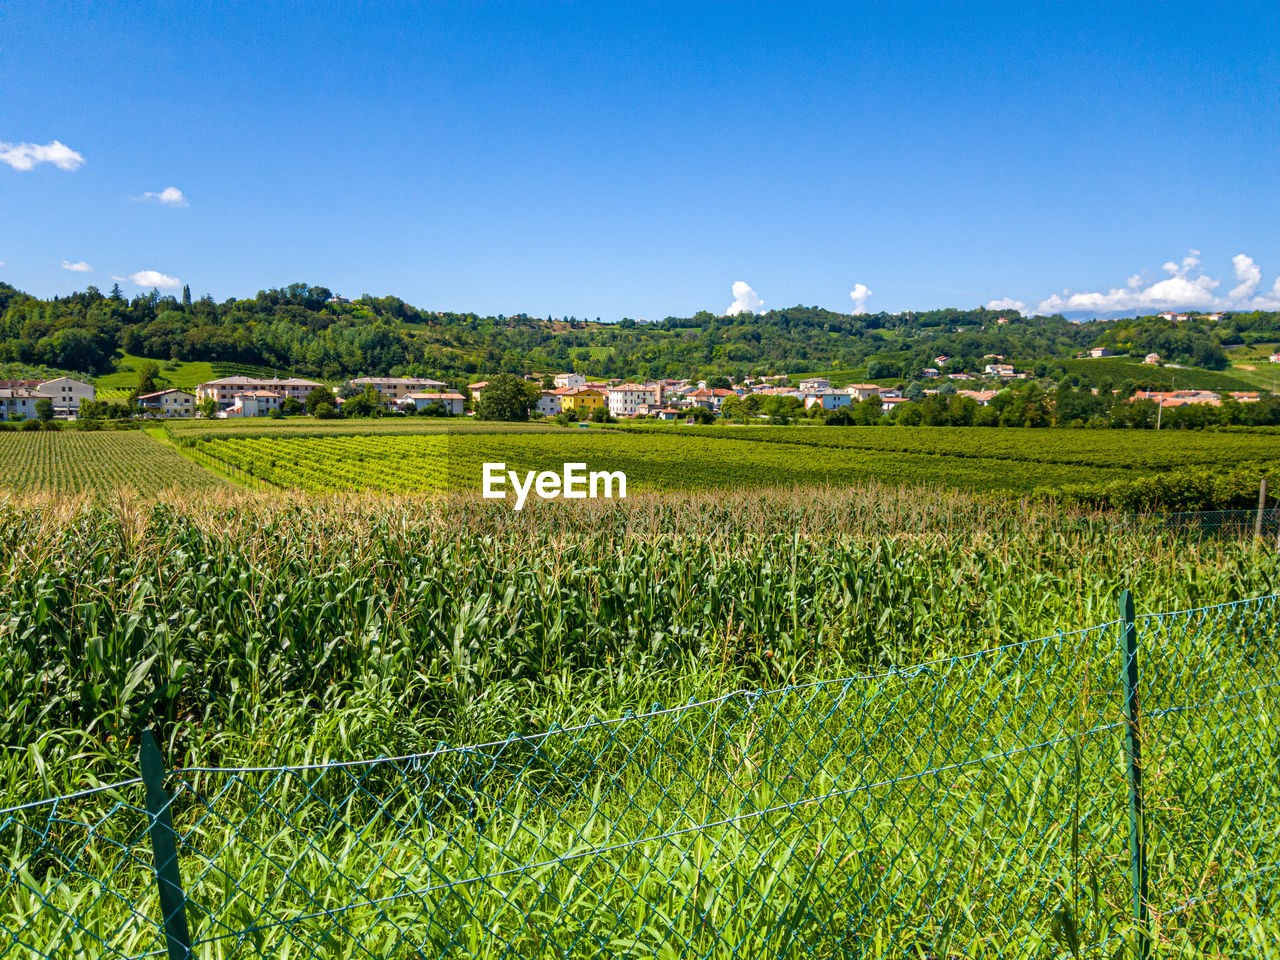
{"x": 971, "y": 807}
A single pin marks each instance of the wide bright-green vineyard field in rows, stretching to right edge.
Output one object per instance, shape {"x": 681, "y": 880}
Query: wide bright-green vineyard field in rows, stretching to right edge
{"x": 399, "y": 456}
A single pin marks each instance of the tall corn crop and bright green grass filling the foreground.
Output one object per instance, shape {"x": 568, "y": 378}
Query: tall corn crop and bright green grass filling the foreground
{"x": 921, "y": 813}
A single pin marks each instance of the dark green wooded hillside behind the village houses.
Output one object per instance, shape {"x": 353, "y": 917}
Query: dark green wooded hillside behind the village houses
{"x": 307, "y": 331}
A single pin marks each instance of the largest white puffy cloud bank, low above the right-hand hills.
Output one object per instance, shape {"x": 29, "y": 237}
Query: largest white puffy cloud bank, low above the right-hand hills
{"x": 1186, "y": 286}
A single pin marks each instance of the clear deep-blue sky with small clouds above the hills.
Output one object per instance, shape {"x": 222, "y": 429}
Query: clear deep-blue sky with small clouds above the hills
{"x": 602, "y": 159}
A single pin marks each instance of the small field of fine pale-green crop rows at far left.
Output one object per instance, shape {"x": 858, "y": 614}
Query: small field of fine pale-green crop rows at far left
{"x": 99, "y": 463}
